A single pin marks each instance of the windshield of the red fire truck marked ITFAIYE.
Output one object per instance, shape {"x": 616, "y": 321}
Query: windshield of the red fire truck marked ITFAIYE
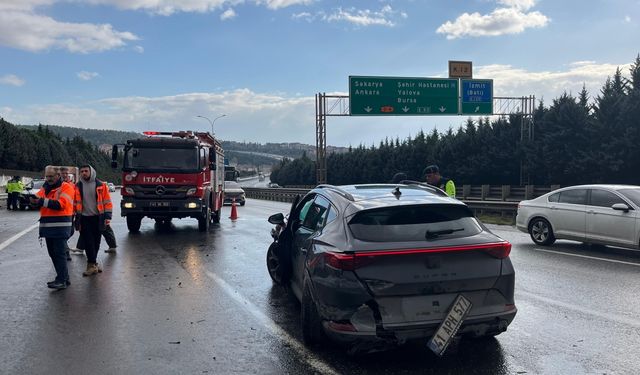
{"x": 161, "y": 159}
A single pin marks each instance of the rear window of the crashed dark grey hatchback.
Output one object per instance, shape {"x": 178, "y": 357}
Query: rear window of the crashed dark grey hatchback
{"x": 414, "y": 223}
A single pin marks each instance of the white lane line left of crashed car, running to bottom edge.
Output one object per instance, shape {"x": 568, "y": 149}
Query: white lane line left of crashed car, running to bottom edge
{"x": 310, "y": 358}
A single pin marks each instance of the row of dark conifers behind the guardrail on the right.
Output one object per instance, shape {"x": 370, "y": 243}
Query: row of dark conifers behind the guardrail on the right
{"x": 577, "y": 140}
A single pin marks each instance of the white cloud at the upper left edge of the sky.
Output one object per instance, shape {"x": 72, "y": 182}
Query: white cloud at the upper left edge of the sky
{"x": 32, "y": 32}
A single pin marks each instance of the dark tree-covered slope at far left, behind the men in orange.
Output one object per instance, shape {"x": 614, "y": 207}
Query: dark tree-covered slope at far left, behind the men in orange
{"x": 32, "y": 150}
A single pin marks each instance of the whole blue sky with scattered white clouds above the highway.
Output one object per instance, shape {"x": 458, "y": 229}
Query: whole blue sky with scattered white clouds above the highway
{"x": 158, "y": 64}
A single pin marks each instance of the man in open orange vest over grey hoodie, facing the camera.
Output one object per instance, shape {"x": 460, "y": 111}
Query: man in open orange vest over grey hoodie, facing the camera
{"x": 93, "y": 205}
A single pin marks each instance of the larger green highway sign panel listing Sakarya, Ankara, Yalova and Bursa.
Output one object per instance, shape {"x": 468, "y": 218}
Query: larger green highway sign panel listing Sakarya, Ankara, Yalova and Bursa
{"x": 400, "y": 96}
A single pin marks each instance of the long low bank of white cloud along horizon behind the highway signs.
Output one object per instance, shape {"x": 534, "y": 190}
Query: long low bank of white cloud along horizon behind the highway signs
{"x": 278, "y": 117}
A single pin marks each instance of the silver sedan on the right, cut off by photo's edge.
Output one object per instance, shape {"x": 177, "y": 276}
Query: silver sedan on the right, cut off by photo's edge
{"x": 599, "y": 214}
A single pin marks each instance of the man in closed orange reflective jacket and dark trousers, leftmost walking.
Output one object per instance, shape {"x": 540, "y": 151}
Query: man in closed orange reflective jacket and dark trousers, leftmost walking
{"x": 55, "y": 200}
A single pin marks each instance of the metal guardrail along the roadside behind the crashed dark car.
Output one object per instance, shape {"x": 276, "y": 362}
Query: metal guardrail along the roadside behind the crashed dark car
{"x": 479, "y": 206}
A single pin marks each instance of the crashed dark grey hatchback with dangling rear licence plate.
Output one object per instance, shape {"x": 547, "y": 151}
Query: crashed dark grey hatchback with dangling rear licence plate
{"x": 375, "y": 266}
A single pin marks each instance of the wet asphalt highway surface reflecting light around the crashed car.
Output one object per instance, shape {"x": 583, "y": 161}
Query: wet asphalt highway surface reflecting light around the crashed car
{"x": 177, "y": 301}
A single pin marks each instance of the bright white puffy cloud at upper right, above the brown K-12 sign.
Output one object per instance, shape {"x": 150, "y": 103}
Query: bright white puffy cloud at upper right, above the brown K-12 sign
{"x": 510, "y": 20}
